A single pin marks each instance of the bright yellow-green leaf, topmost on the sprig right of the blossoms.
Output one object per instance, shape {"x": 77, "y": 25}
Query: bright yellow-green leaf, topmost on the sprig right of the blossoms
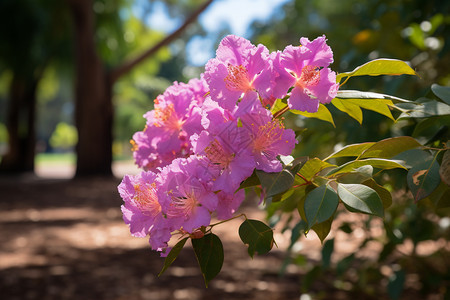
{"x": 378, "y": 67}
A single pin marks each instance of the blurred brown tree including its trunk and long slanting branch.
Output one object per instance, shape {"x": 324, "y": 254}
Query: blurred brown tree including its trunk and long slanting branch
{"x": 94, "y": 87}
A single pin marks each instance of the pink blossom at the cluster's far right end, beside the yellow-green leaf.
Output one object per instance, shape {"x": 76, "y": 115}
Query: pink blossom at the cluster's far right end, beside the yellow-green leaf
{"x": 313, "y": 82}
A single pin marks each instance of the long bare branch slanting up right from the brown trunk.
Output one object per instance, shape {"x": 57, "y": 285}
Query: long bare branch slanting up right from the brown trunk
{"x": 129, "y": 65}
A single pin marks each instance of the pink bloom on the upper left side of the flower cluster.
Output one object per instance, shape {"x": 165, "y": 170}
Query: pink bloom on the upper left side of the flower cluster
{"x": 176, "y": 116}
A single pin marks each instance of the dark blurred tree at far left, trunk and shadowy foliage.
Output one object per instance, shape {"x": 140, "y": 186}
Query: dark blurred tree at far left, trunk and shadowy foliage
{"x": 33, "y": 34}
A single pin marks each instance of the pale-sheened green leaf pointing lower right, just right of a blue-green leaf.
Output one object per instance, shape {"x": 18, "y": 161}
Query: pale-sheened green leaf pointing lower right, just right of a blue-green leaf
{"x": 361, "y": 198}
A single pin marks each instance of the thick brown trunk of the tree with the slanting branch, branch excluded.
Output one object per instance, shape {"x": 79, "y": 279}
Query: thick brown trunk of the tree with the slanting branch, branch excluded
{"x": 93, "y": 98}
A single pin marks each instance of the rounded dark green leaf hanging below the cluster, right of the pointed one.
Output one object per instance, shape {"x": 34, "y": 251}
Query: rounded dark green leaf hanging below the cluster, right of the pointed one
{"x": 257, "y": 235}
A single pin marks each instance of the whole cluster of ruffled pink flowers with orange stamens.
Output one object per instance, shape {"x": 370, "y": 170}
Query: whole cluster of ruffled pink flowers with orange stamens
{"x": 203, "y": 138}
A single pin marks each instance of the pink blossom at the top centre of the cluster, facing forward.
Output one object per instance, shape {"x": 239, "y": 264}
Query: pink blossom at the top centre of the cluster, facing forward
{"x": 239, "y": 68}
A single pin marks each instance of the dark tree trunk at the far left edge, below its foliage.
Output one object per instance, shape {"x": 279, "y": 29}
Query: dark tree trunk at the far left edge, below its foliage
{"x": 21, "y": 126}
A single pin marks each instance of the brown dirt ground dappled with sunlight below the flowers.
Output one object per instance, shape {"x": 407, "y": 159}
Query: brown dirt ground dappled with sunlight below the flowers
{"x": 65, "y": 239}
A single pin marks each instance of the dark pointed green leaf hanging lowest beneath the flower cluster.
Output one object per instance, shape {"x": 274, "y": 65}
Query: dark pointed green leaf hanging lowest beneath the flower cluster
{"x": 209, "y": 253}
